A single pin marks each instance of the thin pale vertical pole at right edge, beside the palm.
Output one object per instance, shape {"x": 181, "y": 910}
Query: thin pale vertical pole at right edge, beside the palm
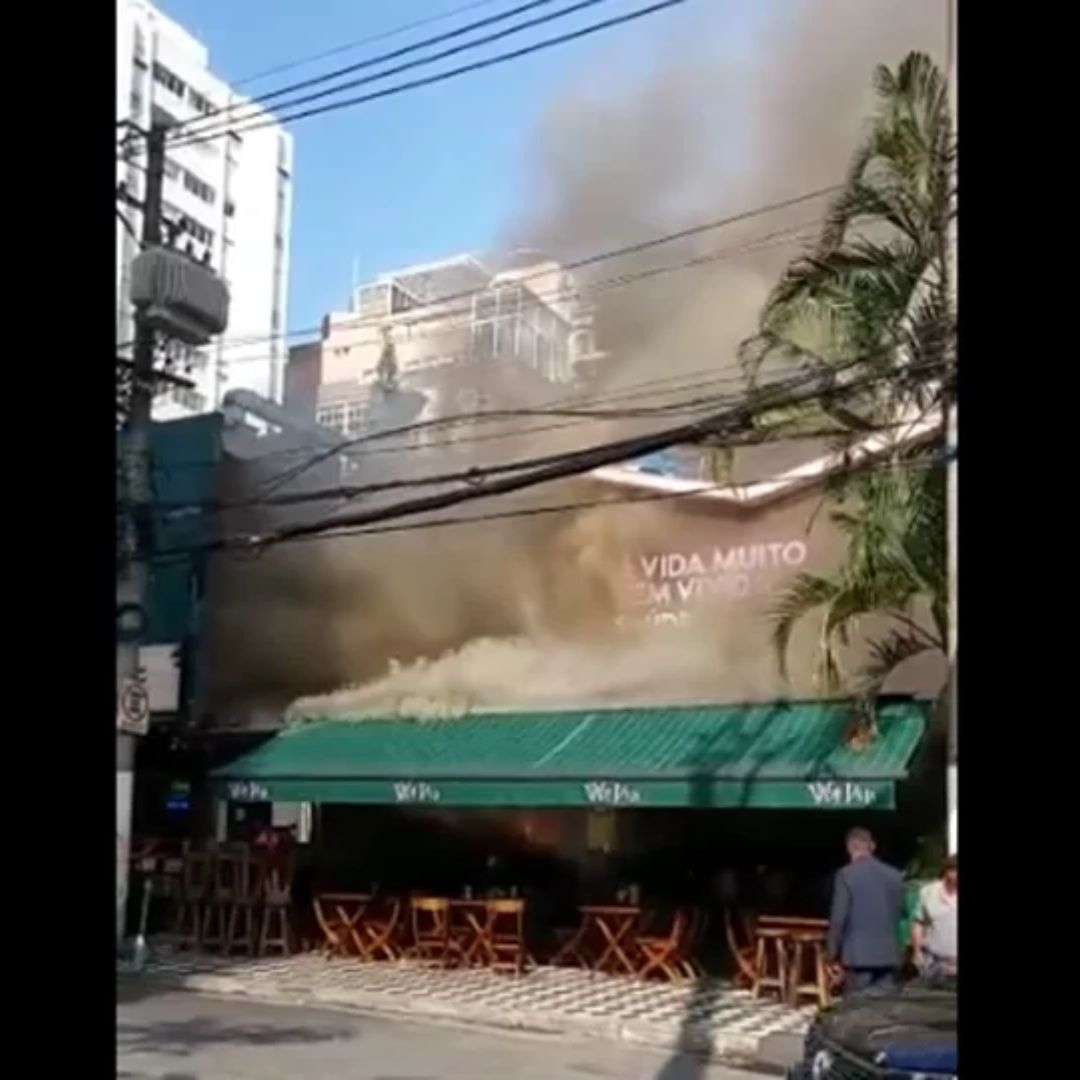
{"x": 952, "y": 484}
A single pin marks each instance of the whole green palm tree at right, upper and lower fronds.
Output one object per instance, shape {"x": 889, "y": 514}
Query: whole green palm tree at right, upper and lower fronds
{"x": 875, "y": 292}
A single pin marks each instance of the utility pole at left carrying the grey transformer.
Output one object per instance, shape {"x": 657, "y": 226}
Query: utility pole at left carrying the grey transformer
{"x": 133, "y": 573}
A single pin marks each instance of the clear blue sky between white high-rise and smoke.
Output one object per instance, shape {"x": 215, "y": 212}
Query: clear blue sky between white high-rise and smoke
{"x": 425, "y": 174}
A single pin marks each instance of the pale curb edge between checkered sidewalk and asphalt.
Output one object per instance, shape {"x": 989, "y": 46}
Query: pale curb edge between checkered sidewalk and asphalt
{"x": 739, "y": 1051}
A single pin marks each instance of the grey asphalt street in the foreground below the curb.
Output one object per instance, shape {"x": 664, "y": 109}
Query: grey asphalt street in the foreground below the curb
{"x": 178, "y": 1036}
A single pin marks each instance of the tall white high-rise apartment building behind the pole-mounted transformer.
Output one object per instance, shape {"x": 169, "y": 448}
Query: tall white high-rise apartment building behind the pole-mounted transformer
{"x": 232, "y": 195}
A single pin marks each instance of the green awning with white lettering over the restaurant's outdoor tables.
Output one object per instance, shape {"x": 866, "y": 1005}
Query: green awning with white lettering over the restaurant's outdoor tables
{"x": 789, "y": 755}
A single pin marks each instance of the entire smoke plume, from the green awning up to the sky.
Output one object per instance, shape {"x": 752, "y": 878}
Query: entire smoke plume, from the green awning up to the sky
{"x": 718, "y": 117}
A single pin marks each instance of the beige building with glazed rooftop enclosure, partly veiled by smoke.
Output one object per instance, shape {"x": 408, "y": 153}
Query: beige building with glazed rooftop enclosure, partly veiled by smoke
{"x": 458, "y": 328}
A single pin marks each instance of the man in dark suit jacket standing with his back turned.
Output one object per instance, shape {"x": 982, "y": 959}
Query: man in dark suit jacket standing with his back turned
{"x": 868, "y": 906}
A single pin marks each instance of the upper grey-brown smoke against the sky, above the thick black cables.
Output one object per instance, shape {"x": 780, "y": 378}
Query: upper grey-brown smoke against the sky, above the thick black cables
{"x": 724, "y": 120}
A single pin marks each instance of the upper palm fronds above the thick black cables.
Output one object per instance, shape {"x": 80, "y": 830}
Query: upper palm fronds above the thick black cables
{"x": 876, "y": 288}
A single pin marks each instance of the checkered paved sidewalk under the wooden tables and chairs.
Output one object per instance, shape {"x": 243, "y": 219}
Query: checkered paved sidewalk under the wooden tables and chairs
{"x": 709, "y": 1018}
